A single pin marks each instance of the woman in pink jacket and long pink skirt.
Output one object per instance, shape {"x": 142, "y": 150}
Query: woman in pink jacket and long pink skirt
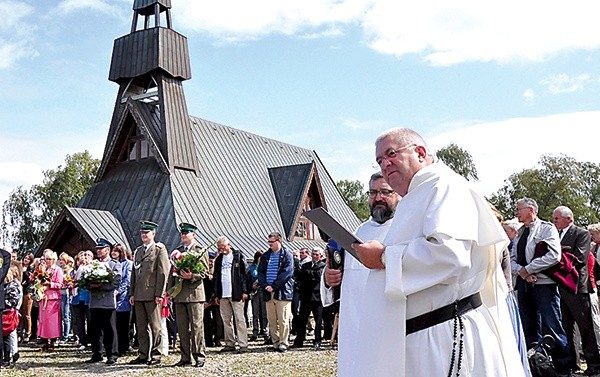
{"x": 50, "y": 327}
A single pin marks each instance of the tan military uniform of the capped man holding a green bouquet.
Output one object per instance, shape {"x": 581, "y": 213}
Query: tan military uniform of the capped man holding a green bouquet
{"x": 189, "y": 306}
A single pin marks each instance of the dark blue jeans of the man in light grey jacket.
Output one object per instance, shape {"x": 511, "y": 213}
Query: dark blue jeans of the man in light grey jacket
{"x": 539, "y": 307}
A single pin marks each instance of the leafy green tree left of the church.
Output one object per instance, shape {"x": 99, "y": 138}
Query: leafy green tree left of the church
{"x": 28, "y": 214}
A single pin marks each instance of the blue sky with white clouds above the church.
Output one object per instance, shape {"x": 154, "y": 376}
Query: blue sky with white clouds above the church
{"x": 507, "y": 81}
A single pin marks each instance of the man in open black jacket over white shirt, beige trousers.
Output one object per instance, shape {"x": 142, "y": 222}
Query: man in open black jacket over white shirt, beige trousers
{"x": 231, "y": 292}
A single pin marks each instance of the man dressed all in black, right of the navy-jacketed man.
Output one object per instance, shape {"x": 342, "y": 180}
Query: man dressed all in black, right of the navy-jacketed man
{"x": 309, "y": 278}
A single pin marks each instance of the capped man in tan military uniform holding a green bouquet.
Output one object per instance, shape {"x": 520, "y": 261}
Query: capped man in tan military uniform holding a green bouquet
{"x": 189, "y": 302}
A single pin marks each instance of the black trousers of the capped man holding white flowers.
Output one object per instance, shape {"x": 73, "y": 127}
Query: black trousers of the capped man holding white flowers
{"x": 103, "y": 329}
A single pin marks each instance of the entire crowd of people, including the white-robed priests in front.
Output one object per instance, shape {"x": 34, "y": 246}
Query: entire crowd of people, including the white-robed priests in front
{"x": 440, "y": 282}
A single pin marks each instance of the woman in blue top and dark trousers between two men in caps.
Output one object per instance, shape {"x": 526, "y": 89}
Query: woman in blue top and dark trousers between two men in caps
{"x": 120, "y": 253}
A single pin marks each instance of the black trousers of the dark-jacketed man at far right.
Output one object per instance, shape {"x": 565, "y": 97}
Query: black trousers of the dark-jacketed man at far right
{"x": 577, "y": 308}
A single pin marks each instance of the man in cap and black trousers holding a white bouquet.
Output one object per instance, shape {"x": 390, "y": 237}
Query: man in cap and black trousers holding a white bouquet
{"x": 103, "y": 308}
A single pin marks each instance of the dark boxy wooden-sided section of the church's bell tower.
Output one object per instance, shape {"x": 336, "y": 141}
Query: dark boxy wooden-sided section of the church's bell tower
{"x": 143, "y": 51}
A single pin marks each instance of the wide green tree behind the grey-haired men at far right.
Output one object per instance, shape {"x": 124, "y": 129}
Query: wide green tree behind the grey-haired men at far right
{"x": 559, "y": 180}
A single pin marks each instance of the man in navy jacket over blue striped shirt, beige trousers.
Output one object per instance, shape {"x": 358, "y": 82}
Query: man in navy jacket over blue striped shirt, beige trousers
{"x": 276, "y": 277}
